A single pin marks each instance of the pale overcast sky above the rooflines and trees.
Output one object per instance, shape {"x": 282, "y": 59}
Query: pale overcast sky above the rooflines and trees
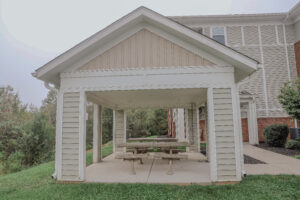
{"x": 33, "y": 32}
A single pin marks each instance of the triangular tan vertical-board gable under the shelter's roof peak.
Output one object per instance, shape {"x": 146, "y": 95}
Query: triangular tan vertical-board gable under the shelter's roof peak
{"x": 145, "y": 49}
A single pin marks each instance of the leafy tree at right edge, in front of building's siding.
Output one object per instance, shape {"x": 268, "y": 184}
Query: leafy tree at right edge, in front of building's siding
{"x": 290, "y": 98}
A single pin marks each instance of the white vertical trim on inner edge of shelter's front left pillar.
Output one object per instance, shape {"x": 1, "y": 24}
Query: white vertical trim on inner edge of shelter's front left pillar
{"x": 82, "y": 135}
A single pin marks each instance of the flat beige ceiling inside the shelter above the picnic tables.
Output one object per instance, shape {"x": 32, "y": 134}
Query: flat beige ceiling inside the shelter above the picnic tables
{"x": 167, "y": 98}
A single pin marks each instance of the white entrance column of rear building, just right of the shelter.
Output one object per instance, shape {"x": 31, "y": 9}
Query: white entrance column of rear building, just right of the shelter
{"x": 252, "y": 123}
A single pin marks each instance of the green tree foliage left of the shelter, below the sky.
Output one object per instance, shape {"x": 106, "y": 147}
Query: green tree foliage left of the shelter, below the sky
{"x": 26, "y": 133}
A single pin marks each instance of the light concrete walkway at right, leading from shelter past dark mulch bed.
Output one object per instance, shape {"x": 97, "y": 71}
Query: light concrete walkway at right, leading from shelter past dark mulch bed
{"x": 275, "y": 163}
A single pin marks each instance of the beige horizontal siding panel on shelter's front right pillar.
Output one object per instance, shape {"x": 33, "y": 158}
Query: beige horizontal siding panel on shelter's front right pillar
{"x": 224, "y": 131}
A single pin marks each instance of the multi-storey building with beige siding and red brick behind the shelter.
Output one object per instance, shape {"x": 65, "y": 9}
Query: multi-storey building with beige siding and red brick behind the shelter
{"x": 273, "y": 39}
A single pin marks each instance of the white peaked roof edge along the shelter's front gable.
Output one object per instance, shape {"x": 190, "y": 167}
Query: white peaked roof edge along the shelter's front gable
{"x": 134, "y": 17}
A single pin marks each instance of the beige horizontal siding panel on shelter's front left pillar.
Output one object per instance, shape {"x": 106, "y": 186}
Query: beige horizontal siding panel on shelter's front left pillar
{"x": 70, "y": 136}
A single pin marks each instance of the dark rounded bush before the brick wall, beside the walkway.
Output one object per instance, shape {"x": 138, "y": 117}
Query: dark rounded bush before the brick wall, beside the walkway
{"x": 275, "y": 135}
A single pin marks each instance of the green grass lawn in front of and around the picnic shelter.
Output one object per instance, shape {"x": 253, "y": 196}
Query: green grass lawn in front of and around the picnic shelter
{"x": 35, "y": 183}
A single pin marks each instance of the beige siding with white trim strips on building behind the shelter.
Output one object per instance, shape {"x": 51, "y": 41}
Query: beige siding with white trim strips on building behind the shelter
{"x": 273, "y": 46}
